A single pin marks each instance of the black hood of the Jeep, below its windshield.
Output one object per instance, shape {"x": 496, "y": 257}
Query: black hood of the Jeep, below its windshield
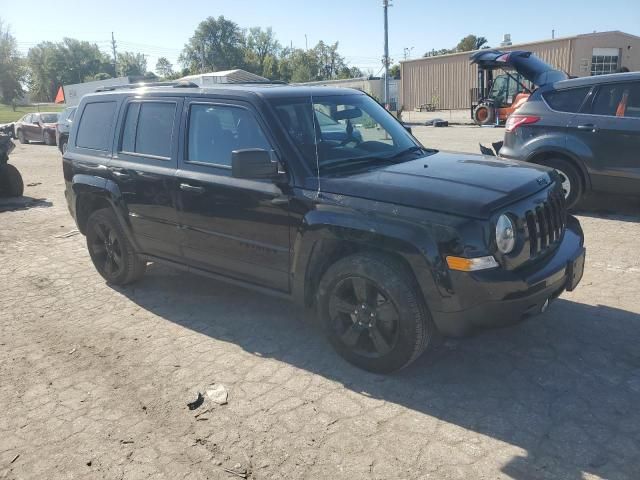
{"x": 456, "y": 183}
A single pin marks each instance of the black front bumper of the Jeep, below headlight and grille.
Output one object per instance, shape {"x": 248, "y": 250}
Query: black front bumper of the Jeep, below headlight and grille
{"x": 494, "y": 298}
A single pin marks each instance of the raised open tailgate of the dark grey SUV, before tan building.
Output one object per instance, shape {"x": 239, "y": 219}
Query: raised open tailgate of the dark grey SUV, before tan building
{"x": 525, "y": 63}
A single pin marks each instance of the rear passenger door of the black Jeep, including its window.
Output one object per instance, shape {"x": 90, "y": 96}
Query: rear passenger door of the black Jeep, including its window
{"x": 144, "y": 168}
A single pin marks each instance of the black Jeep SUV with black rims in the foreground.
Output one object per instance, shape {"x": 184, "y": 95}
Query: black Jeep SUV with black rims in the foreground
{"x": 391, "y": 242}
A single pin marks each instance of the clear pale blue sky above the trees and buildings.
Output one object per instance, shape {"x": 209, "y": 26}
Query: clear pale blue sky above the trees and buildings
{"x": 160, "y": 28}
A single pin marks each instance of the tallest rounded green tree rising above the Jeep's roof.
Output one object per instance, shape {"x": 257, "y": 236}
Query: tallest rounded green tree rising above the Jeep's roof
{"x": 217, "y": 44}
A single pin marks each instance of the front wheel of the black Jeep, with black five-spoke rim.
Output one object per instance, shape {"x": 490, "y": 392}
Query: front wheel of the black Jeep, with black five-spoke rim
{"x": 372, "y": 313}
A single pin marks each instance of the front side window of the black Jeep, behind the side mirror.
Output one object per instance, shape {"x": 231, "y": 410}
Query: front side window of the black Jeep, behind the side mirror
{"x": 216, "y": 131}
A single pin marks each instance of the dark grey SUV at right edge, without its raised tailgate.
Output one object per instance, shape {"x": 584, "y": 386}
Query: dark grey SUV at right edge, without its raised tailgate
{"x": 588, "y": 129}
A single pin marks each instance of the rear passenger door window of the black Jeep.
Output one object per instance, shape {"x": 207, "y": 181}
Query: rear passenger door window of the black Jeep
{"x": 148, "y": 129}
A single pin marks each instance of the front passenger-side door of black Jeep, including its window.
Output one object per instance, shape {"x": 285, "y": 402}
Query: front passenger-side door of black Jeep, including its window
{"x": 235, "y": 227}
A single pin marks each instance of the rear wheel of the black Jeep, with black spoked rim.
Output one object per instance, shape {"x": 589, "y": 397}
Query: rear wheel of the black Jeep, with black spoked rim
{"x": 110, "y": 250}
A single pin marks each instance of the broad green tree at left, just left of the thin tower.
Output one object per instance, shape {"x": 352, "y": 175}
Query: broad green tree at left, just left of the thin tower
{"x": 51, "y": 65}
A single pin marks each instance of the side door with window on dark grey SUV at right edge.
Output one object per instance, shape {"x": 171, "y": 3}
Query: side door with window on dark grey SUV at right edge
{"x": 610, "y": 127}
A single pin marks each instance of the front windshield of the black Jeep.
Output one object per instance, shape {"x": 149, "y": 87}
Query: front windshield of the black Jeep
{"x": 345, "y": 131}
